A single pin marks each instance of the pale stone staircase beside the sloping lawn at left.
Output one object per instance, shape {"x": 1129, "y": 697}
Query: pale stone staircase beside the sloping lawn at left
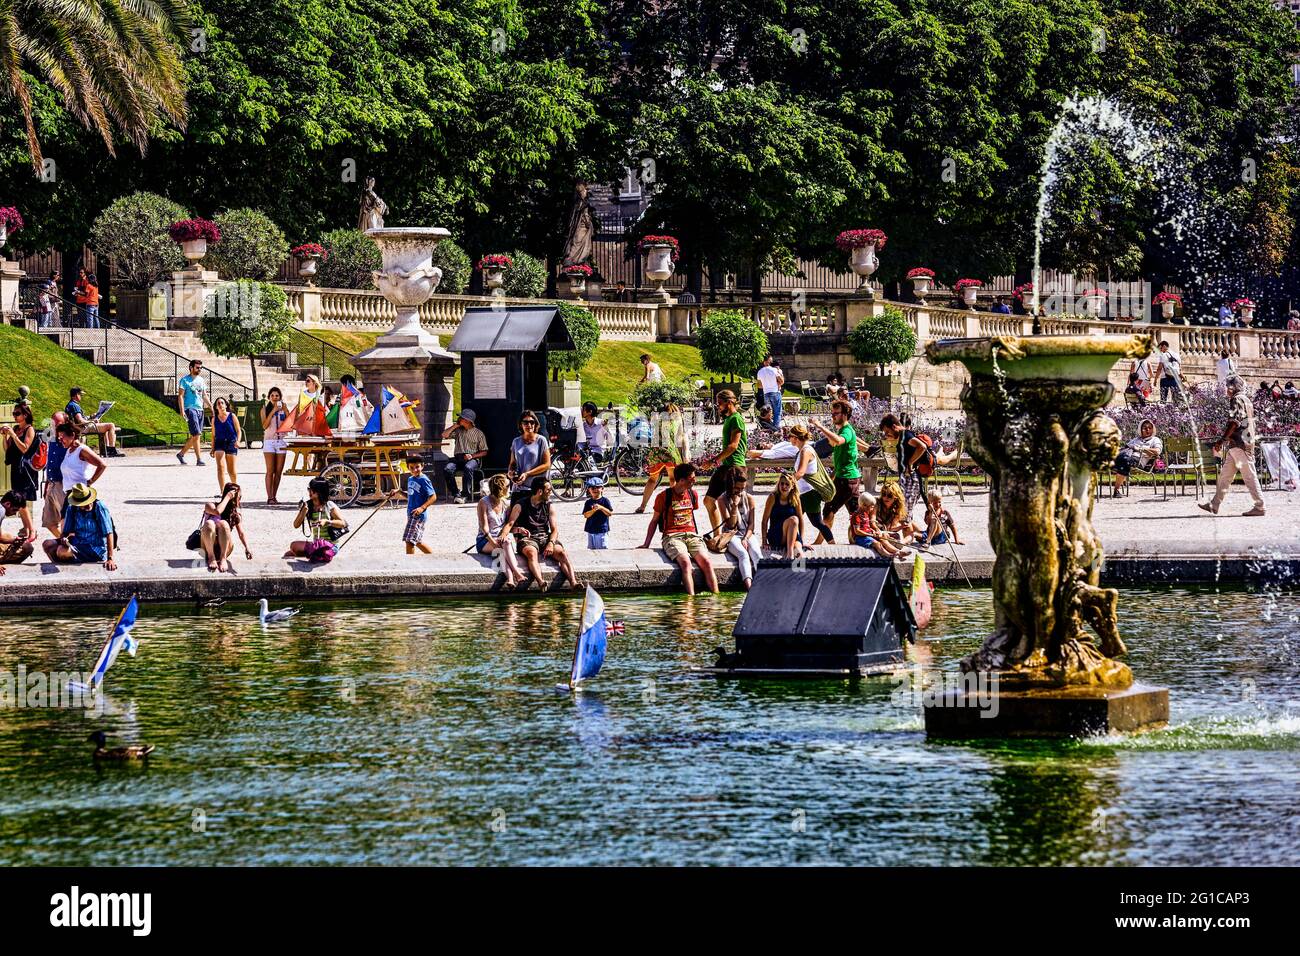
{"x": 154, "y": 360}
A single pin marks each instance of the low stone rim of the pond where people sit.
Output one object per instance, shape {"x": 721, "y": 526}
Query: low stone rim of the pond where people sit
{"x": 93, "y": 586}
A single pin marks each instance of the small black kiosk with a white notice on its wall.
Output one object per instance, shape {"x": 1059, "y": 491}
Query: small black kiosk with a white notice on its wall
{"x": 504, "y": 369}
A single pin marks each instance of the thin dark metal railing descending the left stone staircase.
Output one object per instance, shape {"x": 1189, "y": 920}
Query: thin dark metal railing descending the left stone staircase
{"x": 118, "y": 345}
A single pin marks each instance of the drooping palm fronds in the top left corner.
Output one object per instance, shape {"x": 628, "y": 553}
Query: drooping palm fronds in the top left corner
{"x": 116, "y": 67}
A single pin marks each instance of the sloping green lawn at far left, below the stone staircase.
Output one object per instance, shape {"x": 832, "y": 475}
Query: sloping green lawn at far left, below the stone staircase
{"x": 34, "y": 361}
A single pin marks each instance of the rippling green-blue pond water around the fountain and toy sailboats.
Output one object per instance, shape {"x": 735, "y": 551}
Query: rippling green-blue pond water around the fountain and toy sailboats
{"x": 431, "y": 733}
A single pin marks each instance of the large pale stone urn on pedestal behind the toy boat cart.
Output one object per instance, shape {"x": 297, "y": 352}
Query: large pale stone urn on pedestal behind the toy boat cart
{"x": 408, "y": 357}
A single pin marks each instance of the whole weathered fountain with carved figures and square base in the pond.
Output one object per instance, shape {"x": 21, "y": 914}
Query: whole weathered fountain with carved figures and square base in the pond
{"x": 1037, "y": 429}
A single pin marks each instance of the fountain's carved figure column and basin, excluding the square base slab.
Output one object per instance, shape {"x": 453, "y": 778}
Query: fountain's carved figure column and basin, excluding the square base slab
{"x": 1035, "y": 427}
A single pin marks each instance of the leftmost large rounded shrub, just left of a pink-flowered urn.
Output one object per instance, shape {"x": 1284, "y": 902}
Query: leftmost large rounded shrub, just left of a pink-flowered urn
{"x": 133, "y": 231}
